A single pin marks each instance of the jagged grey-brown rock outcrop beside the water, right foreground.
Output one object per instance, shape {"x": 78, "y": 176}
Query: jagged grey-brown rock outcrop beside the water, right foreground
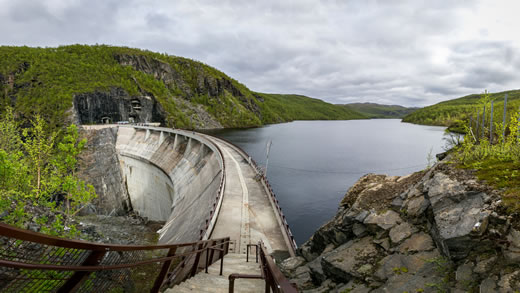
{"x": 434, "y": 231}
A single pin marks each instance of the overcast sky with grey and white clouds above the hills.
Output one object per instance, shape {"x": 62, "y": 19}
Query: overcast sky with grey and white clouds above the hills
{"x": 409, "y": 52}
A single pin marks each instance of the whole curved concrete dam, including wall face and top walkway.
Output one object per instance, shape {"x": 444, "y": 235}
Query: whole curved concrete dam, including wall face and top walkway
{"x": 202, "y": 187}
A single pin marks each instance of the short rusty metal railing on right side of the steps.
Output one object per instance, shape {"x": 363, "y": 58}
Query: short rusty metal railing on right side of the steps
{"x": 274, "y": 279}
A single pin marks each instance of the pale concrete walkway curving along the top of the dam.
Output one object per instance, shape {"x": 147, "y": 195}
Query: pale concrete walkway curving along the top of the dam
{"x": 246, "y": 214}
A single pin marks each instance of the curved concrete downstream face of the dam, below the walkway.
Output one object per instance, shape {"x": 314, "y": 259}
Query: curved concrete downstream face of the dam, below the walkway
{"x": 171, "y": 176}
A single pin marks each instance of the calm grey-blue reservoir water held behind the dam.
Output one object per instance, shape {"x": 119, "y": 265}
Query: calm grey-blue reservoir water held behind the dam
{"x": 313, "y": 163}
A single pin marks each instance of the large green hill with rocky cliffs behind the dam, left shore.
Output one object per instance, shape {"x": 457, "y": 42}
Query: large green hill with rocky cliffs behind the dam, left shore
{"x": 96, "y": 84}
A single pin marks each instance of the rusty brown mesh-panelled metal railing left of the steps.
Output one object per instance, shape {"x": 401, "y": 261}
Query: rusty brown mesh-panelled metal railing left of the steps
{"x": 34, "y": 262}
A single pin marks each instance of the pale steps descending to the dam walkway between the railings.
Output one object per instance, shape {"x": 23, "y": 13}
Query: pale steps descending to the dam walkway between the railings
{"x": 213, "y": 282}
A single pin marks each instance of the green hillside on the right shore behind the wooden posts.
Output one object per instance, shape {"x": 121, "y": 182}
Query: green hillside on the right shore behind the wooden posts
{"x": 457, "y": 112}
